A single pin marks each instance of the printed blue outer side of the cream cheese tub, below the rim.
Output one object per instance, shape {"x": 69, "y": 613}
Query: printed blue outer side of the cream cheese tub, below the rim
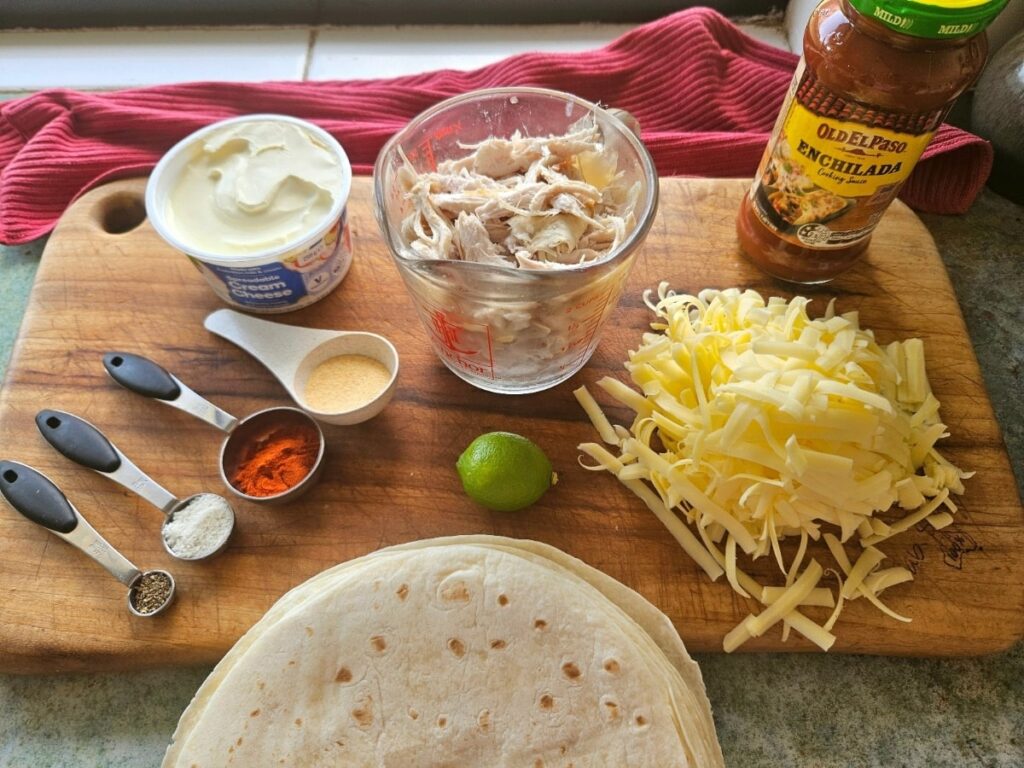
{"x": 304, "y": 274}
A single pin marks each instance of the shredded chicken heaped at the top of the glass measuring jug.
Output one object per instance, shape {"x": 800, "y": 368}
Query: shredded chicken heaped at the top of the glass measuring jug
{"x": 532, "y": 203}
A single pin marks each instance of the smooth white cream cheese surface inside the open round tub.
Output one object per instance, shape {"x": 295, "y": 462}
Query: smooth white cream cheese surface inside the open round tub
{"x": 253, "y": 187}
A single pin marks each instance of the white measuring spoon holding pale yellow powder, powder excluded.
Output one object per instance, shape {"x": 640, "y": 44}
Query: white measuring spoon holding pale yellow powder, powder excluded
{"x": 292, "y": 354}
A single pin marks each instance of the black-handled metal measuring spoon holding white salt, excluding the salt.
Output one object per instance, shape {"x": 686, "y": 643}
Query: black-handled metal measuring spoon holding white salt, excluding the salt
{"x": 83, "y": 444}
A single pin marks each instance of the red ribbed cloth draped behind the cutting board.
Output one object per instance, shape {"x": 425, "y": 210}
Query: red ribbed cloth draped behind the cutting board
{"x": 705, "y": 94}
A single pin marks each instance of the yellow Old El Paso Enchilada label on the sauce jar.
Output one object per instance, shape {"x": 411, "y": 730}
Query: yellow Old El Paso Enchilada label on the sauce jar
{"x": 834, "y": 165}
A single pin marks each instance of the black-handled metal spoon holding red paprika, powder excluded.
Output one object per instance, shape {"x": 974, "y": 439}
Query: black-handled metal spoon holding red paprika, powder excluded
{"x": 145, "y": 377}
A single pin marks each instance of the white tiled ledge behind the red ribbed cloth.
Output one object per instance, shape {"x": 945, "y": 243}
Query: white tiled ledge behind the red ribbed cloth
{"x": 111, "y": 59}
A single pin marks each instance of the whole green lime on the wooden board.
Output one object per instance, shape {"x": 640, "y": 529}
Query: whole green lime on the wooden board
{"x": 504, "y": 472}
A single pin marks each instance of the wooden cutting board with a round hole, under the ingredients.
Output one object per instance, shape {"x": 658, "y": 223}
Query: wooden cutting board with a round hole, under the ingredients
{"x": 393, "y": 480}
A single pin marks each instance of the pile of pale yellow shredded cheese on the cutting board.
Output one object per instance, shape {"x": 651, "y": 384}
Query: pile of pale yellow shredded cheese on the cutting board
{"x": 755, "y": 422}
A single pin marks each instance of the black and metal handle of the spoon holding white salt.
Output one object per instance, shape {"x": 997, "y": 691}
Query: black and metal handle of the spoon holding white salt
{"x": 83, "y": 444}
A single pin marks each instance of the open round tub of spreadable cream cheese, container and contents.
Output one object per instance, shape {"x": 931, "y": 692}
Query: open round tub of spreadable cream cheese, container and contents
{"x": 259, "y": 203}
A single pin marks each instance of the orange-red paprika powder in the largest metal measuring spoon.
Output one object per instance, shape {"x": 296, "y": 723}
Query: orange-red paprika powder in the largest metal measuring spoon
{"x": 277, "y": 462}
